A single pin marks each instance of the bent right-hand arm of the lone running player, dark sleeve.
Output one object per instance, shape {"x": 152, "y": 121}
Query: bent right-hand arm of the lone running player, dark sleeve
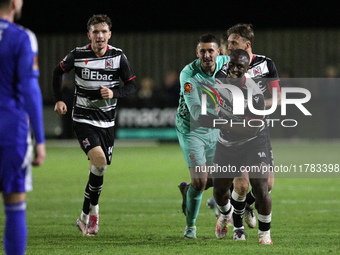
{"x": 128, "y": 77}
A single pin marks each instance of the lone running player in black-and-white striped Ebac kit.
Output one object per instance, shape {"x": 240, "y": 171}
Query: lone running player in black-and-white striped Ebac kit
{"x": 98, "y": 69}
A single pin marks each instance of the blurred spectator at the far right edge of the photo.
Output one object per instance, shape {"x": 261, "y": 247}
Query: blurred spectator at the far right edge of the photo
{"x": 329, "y": 93}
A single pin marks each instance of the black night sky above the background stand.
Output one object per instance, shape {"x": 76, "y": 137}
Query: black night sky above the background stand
{"x": 53, "y": 17}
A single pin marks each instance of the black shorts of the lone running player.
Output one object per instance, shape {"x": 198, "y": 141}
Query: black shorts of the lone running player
{"x": 90, "y": 136}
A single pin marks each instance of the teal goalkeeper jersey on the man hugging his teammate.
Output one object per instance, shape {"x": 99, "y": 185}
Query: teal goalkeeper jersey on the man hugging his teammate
{"x": 194, "y": 83}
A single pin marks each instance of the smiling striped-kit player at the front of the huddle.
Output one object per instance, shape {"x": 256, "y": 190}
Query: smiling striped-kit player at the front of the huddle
{"x": 242, "y": 147}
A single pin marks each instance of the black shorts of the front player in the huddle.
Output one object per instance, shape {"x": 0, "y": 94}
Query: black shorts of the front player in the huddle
{"x": 230, "y": 161}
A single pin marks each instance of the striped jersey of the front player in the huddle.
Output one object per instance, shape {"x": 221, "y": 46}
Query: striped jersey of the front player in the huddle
{"x": 226, "y": 110}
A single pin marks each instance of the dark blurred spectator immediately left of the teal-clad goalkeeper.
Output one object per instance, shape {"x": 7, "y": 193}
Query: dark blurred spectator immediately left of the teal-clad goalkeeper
{"x": 170, "y": 89}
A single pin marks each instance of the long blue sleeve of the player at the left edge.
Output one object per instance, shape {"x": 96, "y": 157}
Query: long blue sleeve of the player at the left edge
{"x": 28, "y": 73}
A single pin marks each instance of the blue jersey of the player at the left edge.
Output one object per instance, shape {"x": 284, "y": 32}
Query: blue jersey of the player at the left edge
{"x": 20, "y": 95}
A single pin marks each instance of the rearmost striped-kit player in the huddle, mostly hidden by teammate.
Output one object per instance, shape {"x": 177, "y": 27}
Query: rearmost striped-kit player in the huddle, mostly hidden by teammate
{"x": 263, "y": 71}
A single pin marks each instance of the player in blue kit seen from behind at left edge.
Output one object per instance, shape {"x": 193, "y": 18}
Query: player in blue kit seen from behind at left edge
{"x": 20, "y": 108}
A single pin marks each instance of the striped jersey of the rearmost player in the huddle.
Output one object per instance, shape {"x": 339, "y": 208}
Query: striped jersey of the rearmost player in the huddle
{"x": 263, "y": 71}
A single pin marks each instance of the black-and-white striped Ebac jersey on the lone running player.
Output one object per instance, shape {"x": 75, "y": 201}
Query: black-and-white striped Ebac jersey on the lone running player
{"x": 92, "y": 71}
